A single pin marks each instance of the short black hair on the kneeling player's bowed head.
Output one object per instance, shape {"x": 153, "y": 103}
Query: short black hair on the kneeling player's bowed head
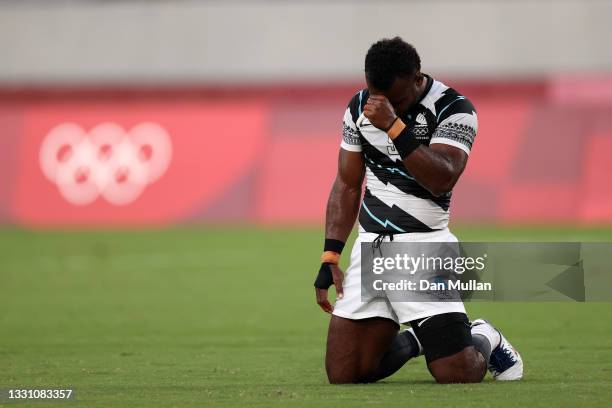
{"x": 388, "y": 59}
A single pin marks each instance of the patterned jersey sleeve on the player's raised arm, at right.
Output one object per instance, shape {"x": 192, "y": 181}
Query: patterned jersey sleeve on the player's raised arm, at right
{"x": 458, "y": 126}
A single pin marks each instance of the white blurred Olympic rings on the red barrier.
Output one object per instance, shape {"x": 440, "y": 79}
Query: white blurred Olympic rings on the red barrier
{"x": 105, "y": 162}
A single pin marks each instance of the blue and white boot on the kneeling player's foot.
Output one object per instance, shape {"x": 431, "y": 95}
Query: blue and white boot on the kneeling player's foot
{"x": 505, "y": 363}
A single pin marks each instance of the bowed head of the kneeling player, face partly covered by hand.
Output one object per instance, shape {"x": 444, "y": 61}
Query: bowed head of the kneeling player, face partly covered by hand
{"x": 393, "y": 69}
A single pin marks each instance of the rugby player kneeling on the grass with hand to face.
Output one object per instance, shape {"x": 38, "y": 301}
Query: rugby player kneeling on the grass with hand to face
{"x": 410, "y": 136}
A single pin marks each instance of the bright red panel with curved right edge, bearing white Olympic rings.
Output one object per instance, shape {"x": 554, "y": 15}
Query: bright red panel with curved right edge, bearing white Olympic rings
{"x": 209, "y": 148}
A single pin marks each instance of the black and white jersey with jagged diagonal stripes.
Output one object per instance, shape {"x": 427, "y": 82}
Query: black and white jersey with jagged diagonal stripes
{"x": 394, "y": 202}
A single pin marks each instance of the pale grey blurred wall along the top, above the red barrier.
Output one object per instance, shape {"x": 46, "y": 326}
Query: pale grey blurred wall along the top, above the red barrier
{"x": 187, "y": 41}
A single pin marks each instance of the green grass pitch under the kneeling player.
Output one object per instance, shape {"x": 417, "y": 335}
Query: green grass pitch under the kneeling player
{"x": 213, "y": 316}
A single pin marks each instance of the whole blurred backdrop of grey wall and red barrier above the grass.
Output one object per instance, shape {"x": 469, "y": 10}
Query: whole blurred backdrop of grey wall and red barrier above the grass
{"x": 137, "y": 113}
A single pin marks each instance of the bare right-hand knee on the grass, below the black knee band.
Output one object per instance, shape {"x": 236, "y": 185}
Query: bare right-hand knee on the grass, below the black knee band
{"x": 467, "y": 366}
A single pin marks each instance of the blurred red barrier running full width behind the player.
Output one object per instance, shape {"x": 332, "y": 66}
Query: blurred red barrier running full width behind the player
{"x": 268, "y": 154}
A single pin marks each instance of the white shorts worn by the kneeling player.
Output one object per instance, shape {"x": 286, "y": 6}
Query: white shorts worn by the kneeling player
{"x": 351, "y": 305}
